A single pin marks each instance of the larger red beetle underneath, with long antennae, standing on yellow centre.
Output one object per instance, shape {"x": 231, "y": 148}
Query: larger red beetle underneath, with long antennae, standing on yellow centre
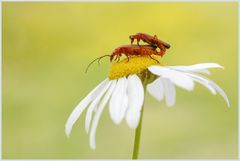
{"x": 129, "y": 50}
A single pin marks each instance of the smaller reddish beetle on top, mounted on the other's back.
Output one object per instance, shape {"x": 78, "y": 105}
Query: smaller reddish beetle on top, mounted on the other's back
{"x": 151, "y": 40}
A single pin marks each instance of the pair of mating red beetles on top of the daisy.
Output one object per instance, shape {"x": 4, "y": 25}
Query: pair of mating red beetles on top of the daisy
{"x": 137, "y": 50}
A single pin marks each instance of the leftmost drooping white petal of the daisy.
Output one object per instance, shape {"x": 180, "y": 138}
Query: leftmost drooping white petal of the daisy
{"x": 82, "y": 106}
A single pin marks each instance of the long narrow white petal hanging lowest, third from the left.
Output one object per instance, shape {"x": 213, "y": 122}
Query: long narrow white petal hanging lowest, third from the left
{"x": 98, "y": 114}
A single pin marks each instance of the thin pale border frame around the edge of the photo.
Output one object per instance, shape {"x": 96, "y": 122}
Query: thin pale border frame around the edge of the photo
{"x": 126, "y": 1}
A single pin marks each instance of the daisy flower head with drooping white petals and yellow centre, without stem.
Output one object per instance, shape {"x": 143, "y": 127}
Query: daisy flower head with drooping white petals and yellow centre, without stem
{"x": 124, "y": 90}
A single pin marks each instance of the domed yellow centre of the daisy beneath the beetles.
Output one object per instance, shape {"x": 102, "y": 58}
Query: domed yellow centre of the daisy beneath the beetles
{"x": 135, "y": 65}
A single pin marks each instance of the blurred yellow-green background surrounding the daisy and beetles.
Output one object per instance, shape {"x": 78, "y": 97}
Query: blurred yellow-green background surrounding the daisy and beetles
{"x": 47, "y": 45}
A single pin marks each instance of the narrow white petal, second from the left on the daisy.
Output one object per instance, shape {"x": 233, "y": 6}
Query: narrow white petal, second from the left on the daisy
{"x": 93, "y": 105}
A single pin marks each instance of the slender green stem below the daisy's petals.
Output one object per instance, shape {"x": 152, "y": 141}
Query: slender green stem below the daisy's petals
{"x": 137, "y": 137}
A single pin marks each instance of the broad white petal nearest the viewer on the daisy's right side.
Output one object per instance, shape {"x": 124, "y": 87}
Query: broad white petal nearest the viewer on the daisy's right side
{"x": 177, "y": 77}
